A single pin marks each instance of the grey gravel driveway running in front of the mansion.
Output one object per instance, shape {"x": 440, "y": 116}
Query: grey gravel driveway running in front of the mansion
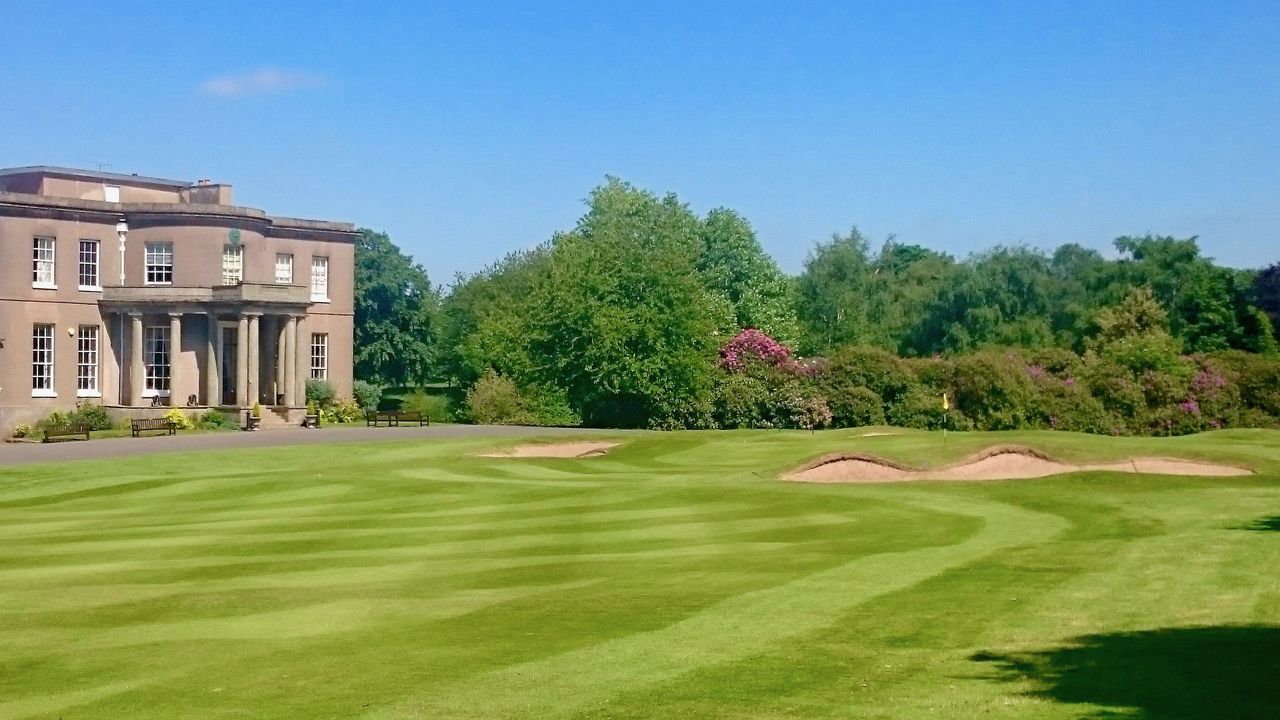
{"x": 22, "y": 454}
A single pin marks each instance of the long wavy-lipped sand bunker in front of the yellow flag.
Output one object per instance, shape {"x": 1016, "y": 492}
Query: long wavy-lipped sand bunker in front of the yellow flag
{"x": 993, "y": 464}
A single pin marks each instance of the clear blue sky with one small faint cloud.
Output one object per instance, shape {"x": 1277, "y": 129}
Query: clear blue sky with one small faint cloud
{"x": 469, "y": 131}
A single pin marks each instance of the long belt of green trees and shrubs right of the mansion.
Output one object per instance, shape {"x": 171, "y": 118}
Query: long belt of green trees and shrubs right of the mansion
{"x": 620, "y": 322}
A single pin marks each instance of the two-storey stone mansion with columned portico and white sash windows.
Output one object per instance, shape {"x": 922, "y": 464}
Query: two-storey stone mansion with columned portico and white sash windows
{"x": 134, "y": 293}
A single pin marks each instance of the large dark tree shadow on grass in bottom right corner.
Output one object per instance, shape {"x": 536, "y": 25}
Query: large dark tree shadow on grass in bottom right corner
{"x": 1165, "y": 675}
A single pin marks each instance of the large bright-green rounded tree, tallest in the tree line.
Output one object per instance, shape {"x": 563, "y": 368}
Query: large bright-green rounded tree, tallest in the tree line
{"x": 624, "y": 321}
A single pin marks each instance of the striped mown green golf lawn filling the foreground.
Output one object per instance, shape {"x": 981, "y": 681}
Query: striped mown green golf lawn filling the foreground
{"x": 674, "y": 578}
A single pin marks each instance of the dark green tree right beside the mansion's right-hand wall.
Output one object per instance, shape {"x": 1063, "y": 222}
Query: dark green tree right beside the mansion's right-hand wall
{"x": 396, "y": 309}
